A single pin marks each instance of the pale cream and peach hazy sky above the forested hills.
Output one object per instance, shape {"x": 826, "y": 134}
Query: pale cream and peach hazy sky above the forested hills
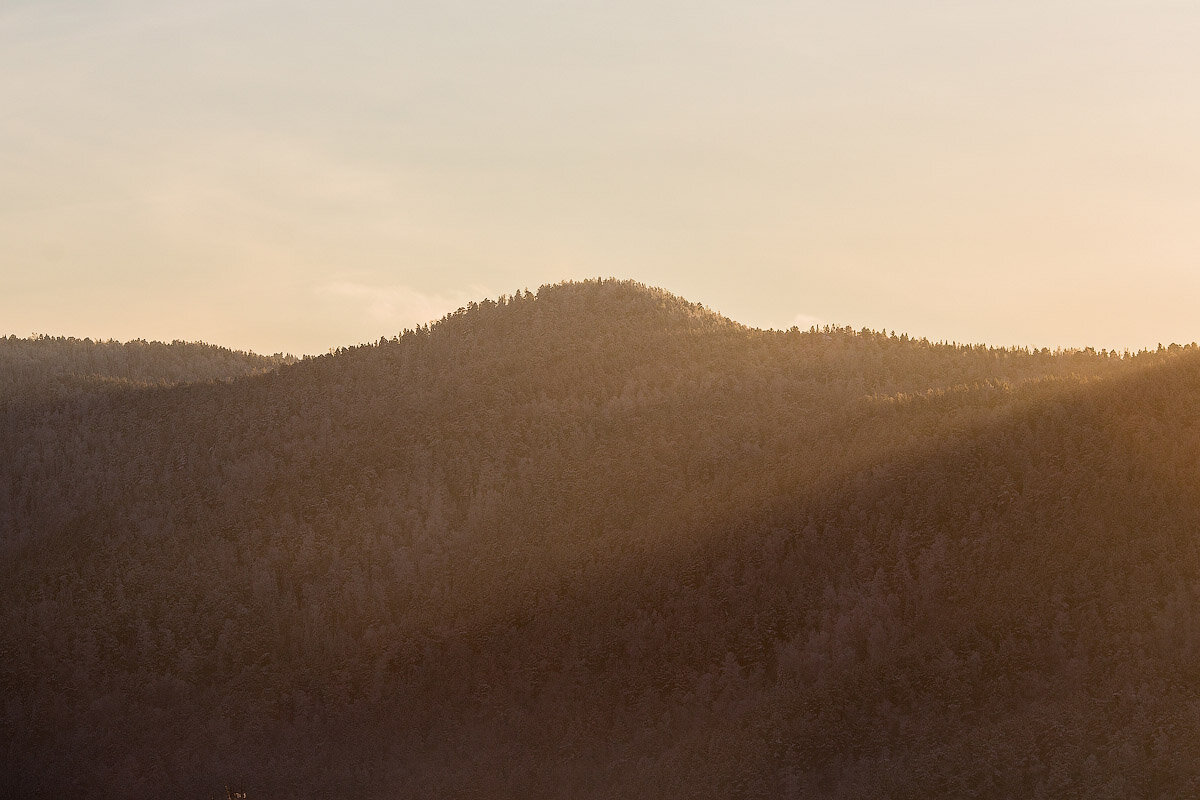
{"x": 295, "y": 177}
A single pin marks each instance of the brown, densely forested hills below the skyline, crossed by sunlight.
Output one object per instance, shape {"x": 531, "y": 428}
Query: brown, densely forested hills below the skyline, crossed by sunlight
{"x": 597, "y": 542}
